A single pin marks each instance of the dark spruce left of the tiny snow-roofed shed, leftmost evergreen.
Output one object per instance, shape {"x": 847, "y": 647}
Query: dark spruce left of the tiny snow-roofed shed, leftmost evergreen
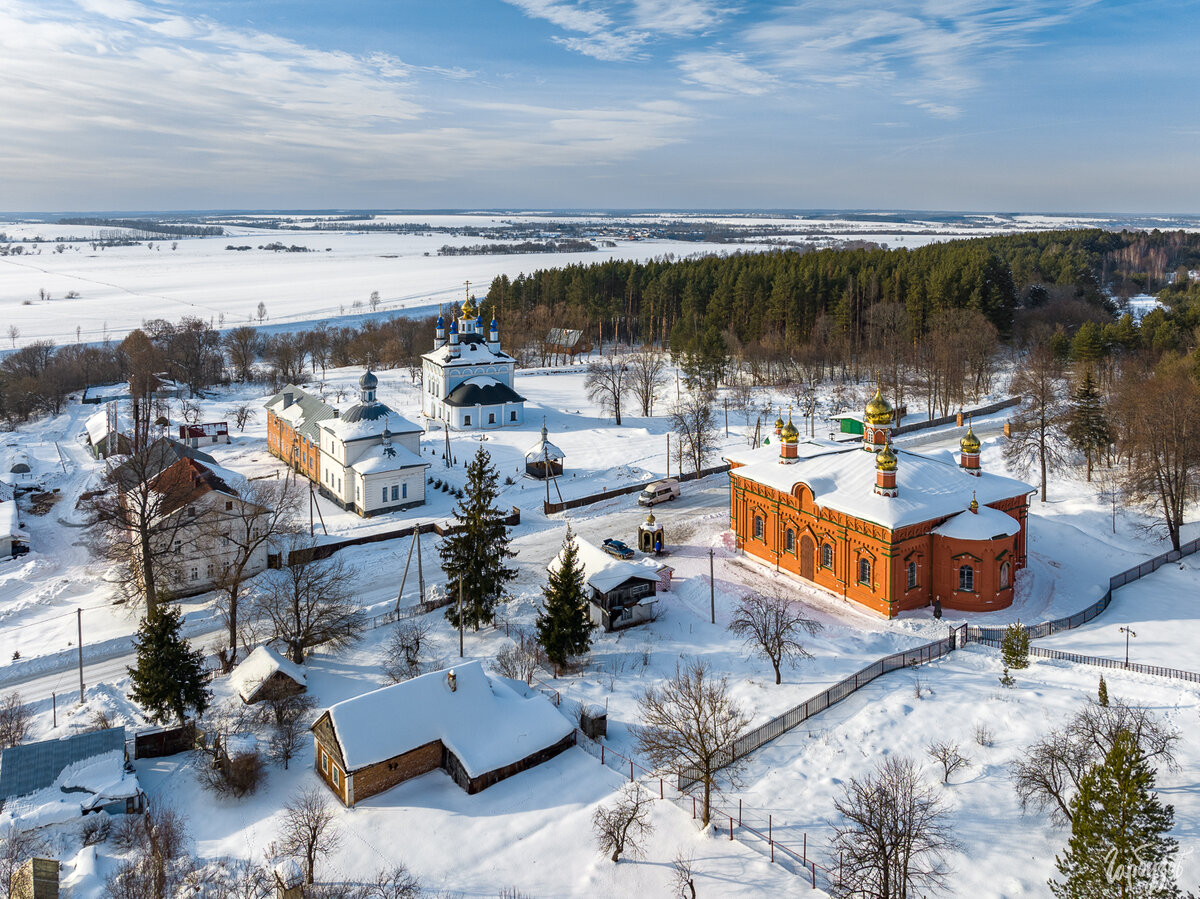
{"x": 170, "y": 678}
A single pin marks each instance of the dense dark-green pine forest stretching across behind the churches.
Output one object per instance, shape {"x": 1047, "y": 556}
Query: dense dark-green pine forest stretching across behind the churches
{"x": 781, "y": 297}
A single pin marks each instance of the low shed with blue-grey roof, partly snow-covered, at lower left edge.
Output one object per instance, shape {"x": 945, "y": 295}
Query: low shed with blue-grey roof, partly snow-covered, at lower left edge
{"x": 58, "y": 781}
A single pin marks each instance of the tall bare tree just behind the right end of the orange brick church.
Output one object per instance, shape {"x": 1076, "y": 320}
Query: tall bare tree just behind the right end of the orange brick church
{"x": 1039, "y": 437}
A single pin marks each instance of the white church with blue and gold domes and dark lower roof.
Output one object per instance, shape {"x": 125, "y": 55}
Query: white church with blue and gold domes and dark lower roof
{"x": 469, "y": 380}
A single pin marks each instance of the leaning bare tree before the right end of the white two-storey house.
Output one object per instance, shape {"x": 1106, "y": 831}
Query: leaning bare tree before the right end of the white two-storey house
{"x": 261, "y": 517}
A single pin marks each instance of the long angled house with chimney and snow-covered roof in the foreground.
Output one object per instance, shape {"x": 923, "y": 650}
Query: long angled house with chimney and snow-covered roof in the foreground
{"x": 477, "y": 728}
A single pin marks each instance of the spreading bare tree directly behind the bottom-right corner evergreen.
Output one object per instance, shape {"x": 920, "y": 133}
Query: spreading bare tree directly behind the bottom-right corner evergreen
{"x": 1048, "y": 775}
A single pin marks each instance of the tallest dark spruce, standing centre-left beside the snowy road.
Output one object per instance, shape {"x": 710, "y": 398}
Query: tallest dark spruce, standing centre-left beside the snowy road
{"x": 478, "y": 547}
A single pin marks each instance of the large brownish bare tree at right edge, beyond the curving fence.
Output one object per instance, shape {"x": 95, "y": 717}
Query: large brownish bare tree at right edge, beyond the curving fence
{"x": 1155, "y": 423}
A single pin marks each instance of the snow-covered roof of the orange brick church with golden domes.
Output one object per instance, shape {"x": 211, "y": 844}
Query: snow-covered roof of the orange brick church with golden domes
{"x": 843, "y": 478}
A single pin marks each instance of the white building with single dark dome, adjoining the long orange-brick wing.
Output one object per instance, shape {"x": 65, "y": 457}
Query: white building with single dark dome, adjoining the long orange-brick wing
{"x": 371, "y": 457}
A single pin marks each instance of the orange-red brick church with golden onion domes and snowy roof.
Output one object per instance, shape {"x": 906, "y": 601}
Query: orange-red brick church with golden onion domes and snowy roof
{"x": 884, "y": 528}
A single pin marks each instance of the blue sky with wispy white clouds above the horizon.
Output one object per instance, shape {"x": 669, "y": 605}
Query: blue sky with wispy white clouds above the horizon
{"x": 949, "y": 105}
